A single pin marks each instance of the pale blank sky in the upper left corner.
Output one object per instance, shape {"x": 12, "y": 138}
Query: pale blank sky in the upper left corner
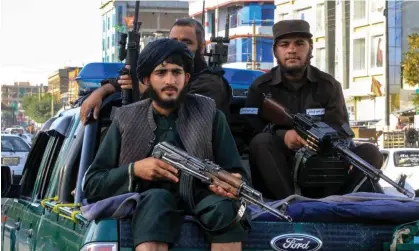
{"x": 40, "y": 36}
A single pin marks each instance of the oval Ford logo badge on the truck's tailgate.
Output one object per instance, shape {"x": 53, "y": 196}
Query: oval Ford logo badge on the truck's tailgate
{"x": 287, "y": 242}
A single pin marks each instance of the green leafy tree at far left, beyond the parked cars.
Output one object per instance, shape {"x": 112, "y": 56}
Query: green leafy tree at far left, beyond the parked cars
{"x": 39, "y": 109}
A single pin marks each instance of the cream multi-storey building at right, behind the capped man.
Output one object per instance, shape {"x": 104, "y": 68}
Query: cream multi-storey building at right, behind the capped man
{"x": 349, "y": 43}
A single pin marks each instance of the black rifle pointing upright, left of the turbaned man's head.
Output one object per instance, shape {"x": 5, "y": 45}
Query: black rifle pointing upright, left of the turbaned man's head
{"x": 129, "y": 96}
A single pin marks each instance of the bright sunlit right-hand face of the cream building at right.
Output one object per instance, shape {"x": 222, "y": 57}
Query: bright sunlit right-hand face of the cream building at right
{"x": 367, "y": 61}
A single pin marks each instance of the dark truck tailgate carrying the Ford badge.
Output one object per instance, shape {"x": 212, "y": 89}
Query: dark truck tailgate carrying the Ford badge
{"x": 333, "y": 236}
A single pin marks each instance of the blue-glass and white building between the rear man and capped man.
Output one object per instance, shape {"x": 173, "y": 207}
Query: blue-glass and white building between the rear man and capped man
{"x": 241, "y": 15}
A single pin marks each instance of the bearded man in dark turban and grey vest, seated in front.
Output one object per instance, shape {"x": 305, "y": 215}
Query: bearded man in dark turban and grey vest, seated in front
{"x": 191, "y": 122}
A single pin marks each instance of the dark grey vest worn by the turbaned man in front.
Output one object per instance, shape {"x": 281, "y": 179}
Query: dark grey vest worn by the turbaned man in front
{"x": 194, "y": 125}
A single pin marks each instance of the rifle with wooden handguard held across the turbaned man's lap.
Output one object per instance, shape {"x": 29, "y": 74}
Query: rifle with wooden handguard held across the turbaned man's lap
{"x": 210, "y": 173}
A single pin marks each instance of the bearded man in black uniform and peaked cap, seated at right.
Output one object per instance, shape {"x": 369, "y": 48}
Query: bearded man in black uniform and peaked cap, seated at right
{"x": 301, "y": 88}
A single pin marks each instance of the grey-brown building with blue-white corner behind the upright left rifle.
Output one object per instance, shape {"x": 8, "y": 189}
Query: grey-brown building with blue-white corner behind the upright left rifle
{"x": 157, "y": 18}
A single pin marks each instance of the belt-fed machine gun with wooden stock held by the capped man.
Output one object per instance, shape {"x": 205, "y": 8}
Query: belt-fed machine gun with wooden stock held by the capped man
{"x": 323, "y": 139}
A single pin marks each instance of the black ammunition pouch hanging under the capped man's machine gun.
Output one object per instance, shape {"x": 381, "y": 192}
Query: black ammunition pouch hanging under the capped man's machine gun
{"x": 324, "y": 174}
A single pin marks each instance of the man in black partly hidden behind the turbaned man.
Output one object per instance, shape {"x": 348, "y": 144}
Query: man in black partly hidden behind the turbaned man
{"x": 204, "y": 81}
